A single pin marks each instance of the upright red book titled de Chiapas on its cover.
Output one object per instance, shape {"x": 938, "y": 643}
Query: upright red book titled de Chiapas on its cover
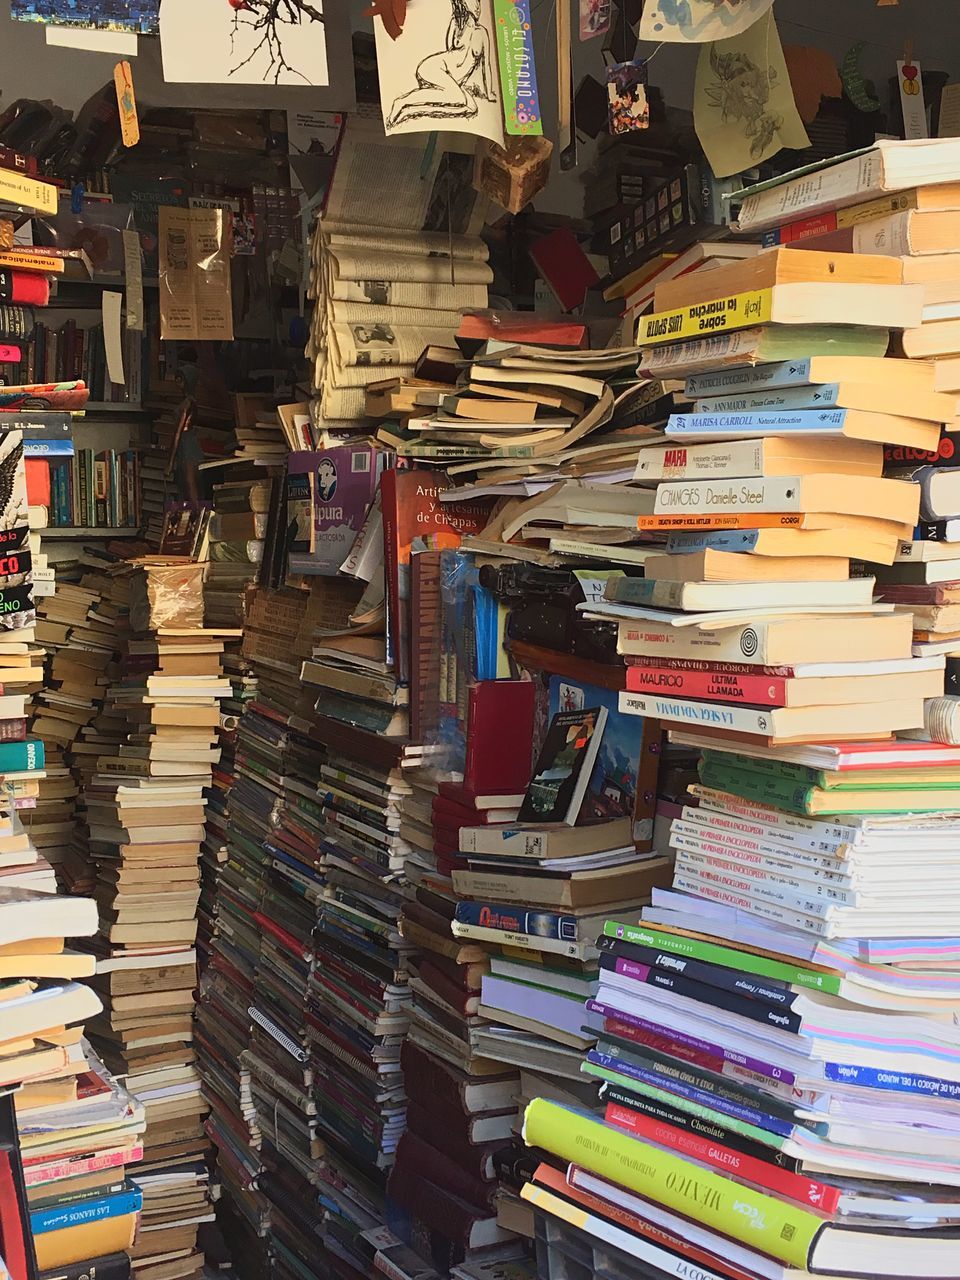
{"x": 415, "y": 518}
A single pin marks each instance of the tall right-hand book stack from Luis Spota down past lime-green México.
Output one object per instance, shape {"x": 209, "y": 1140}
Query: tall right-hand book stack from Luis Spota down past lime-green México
{"x": 772, "y": 1034}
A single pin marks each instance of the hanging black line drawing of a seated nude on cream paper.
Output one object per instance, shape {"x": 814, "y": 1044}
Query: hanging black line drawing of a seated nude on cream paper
{"x": 442, "y": 72}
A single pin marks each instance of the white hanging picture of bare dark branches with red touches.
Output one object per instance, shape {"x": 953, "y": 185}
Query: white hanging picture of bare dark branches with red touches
{"x": 254, "y": 43}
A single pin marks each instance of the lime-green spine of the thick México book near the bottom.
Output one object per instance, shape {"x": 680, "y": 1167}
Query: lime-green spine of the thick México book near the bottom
{"x": 764, "y": 1222}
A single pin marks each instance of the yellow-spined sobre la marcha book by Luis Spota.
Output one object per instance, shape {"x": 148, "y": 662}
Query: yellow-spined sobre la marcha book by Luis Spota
{"x": 886, "y": 307}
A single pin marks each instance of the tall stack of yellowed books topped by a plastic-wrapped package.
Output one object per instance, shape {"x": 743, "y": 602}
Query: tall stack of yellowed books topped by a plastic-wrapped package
{"x": 145, "y": 815}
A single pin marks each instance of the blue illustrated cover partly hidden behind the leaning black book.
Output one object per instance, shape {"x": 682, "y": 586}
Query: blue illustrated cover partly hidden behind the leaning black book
{"x": 611, "y": 792}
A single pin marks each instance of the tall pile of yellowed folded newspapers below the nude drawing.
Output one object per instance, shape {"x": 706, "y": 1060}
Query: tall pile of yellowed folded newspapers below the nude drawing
{"x": 390, "y": 278}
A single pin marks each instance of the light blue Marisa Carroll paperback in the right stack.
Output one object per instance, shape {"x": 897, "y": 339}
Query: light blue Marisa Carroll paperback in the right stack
{"x": 857, "y": 424}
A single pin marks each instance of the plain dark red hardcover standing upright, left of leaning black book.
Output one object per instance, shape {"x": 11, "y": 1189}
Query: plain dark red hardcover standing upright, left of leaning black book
{"x": 500, "y": 738}
